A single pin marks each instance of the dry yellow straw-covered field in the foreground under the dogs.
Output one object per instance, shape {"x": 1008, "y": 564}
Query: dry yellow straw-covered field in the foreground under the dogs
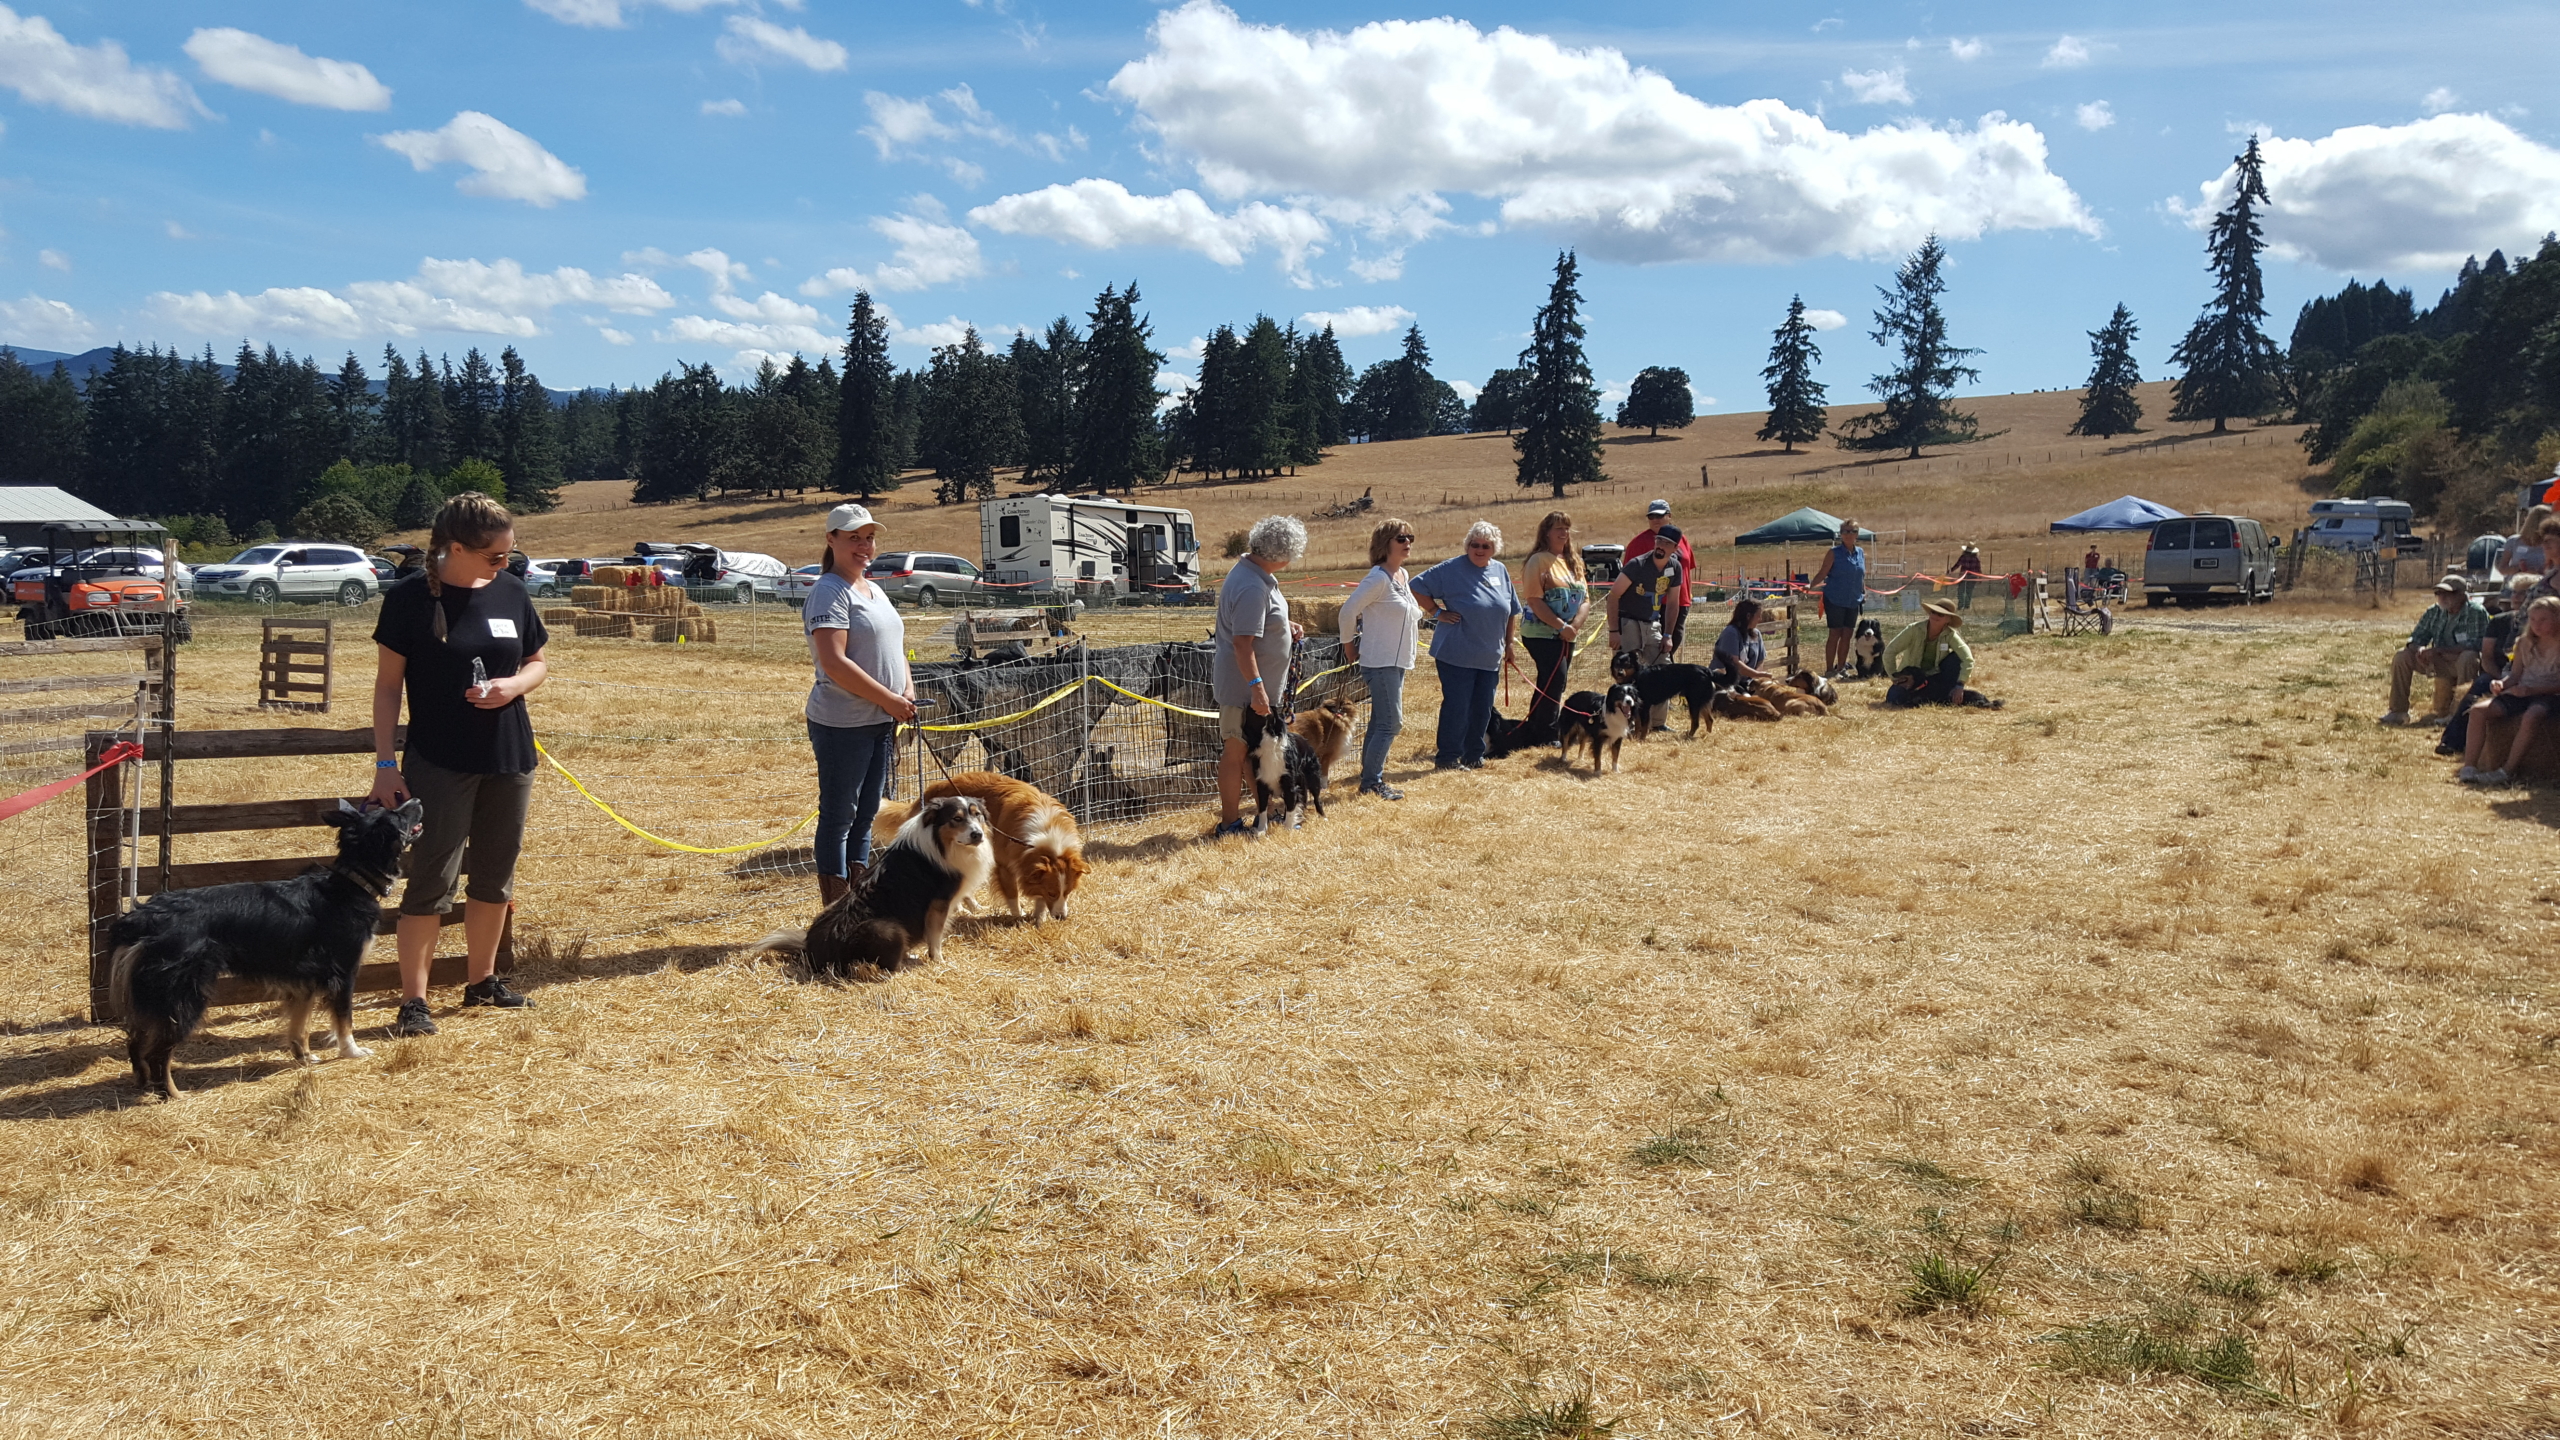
{"x": 2170, "y": 1054}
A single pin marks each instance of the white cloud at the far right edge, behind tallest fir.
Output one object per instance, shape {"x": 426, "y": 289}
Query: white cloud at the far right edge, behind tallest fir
{"x": 2418, "y": 196}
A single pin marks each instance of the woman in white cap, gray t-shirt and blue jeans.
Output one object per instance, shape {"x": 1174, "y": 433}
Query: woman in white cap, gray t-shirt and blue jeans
{"x": 859, "y": 701}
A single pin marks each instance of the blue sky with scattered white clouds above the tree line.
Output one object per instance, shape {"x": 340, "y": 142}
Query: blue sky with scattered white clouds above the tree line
{"x": 613, "y": 186}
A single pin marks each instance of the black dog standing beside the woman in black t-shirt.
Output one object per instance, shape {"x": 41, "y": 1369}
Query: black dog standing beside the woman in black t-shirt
{"x": 301, "y": 939}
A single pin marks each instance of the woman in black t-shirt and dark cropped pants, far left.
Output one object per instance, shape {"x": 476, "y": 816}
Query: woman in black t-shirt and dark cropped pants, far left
{"x": 465, "y": 642}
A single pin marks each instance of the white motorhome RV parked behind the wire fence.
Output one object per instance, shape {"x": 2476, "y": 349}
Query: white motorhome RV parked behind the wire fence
{"x": 1092, "y": 544}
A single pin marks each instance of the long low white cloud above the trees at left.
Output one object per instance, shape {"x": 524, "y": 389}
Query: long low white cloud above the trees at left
{"x": 449, "y": 296}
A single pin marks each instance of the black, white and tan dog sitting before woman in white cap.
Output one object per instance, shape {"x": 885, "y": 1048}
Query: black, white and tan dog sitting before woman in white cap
{"x": 905, "y": 898}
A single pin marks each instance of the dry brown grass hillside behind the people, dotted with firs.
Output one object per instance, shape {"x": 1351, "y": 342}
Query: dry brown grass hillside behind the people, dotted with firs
{"x": 2001, "y": 493}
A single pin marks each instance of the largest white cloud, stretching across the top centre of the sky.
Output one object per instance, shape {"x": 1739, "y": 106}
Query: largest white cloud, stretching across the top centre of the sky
{"x": 1568, "y": 140}
